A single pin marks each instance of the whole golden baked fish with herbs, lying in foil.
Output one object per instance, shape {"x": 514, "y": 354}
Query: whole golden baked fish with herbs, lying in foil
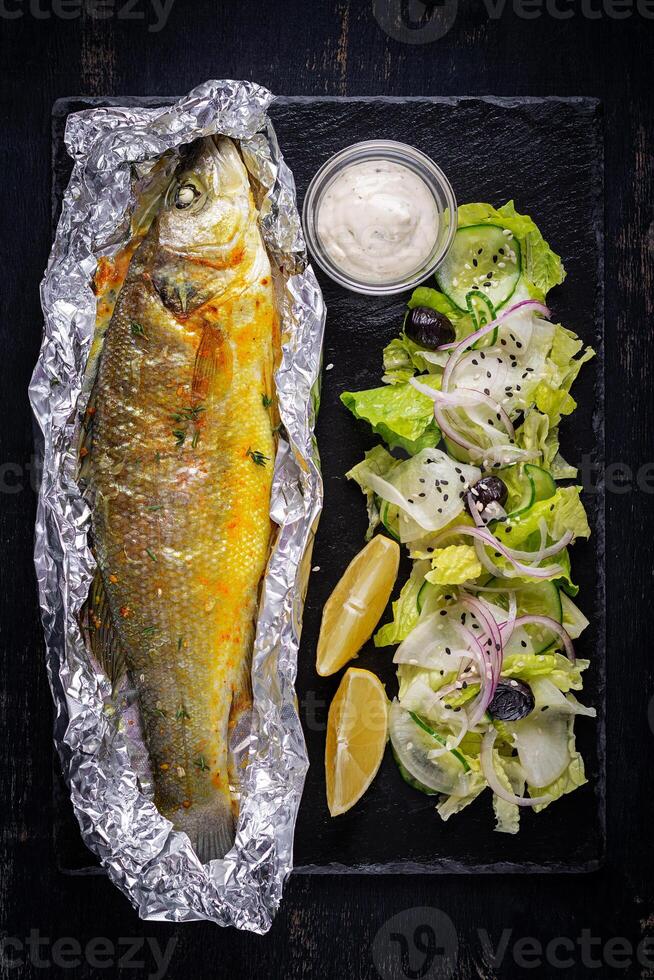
{"x": 179, "y": 468}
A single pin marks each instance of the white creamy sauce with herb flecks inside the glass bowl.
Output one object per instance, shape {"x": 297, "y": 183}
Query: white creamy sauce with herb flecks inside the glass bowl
{"x": 377, "y": 221}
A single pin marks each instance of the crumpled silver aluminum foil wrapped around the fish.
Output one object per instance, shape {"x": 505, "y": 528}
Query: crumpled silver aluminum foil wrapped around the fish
{"x": 154, "y": 865}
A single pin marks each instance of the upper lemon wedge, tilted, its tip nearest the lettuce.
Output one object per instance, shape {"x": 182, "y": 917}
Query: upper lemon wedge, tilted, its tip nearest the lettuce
{"x": 355, "y": 606}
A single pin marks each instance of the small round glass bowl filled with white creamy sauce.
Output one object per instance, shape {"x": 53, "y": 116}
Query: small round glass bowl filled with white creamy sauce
{"x": 379, "y": 217}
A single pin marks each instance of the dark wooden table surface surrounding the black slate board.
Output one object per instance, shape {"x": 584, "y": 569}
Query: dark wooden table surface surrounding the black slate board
{"x": 330, "y": 926}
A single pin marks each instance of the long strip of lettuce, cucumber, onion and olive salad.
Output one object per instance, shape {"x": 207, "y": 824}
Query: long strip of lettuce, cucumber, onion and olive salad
{"x": 470, "y": 479}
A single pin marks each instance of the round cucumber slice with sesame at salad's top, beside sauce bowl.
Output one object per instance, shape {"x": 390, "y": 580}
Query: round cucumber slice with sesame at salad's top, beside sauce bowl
{"x": 480, "y": 254}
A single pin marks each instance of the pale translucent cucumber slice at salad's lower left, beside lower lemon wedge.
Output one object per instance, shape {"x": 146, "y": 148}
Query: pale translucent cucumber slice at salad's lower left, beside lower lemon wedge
{"x": 411, "y": 747}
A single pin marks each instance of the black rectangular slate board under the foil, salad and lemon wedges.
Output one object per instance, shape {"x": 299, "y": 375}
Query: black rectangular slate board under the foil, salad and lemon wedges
{"x": 547, "y": 155}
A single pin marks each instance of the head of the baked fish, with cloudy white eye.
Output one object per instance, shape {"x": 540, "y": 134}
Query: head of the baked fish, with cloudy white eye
{"x": 201, "y": 231}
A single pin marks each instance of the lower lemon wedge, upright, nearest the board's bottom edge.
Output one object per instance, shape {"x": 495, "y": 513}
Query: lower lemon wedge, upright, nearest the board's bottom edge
{"x": 357, "y": 729}
